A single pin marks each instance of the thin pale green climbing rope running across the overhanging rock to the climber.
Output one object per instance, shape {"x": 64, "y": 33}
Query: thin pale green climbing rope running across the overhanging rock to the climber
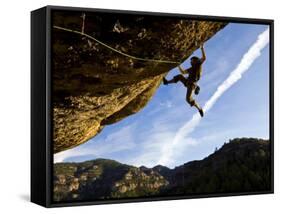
{"x": 115, "y": 50}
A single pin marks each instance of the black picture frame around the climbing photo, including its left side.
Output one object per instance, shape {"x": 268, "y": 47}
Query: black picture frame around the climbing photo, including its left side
{"x": 41, "y": 104}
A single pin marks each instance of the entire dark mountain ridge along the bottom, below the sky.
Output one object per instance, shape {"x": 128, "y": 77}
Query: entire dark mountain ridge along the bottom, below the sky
{"x": 242, "y": 165}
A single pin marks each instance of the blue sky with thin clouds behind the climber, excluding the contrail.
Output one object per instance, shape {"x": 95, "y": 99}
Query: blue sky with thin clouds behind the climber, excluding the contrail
{"x": 242, "y": 111}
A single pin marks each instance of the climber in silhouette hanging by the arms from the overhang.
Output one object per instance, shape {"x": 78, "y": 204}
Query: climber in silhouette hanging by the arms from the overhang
{"x": 190, "y": 82}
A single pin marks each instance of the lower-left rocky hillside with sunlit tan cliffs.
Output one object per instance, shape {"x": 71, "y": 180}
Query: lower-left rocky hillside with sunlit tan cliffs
{"x": 110, "y": 179}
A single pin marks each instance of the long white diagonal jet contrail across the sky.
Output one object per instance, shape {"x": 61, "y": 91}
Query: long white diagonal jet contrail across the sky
{"x": 247, "y": 60}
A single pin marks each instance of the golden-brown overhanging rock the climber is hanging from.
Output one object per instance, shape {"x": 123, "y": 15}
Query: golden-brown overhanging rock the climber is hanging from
{"x": 94, "y": 86}
